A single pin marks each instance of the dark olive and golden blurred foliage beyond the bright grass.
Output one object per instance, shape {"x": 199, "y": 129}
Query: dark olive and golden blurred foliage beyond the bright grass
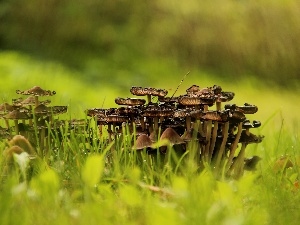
{"x": 229, "y": 38}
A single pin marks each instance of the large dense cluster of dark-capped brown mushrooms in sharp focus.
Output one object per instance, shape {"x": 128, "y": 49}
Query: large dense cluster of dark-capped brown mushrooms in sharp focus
{"x": 195, "y": 117}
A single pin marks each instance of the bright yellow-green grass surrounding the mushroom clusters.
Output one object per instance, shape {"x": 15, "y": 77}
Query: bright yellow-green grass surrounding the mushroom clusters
{"x": 75, "y": 186}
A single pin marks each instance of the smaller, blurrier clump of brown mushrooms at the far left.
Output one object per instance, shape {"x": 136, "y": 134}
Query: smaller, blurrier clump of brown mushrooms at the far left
{"x": 31, "y": 116}
